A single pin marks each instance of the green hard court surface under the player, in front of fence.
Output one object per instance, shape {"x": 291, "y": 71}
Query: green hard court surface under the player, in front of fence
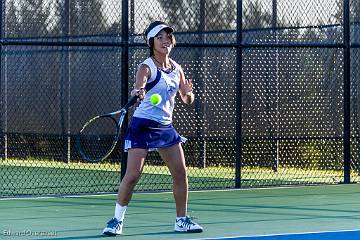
{"x": 228, "y": 213}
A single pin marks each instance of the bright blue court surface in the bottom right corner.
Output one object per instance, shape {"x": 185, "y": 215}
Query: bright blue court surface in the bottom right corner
{"x": 336, "y": 235}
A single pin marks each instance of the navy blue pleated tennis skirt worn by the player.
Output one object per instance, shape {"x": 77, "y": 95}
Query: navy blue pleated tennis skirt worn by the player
{"x": 149, "y": 134}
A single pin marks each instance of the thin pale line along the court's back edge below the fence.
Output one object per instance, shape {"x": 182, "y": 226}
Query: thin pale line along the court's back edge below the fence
{"x": 101, "y": 194}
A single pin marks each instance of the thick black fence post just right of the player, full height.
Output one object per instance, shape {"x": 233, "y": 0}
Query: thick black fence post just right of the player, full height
{"x": 238, "y": 141}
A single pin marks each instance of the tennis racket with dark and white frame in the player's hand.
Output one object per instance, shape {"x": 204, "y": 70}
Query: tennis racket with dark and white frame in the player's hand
{"x": 99, "y": 136}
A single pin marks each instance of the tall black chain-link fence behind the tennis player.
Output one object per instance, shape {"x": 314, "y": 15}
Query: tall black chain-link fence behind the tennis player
{"x": 276, "y": 85}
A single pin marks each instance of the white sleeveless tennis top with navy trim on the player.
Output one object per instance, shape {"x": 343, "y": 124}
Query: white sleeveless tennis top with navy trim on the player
{"x": 167, "y": 87}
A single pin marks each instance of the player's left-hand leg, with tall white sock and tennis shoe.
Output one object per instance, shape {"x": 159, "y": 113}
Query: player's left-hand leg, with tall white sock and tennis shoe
{"x": 135, "y": 164}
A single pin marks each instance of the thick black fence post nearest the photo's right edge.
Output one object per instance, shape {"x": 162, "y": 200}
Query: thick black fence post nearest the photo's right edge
{"x": 347, "y": 92}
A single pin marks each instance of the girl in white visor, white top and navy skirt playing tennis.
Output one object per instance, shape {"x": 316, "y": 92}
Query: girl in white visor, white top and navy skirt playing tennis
{"x": 151, "y": 127}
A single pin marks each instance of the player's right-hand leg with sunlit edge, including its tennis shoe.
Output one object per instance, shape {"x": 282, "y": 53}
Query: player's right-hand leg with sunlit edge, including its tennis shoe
{"x": 174, "y": 158}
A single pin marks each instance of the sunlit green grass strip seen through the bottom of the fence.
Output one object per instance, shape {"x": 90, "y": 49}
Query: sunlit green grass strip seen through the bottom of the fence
{"x": 38, "y": 177}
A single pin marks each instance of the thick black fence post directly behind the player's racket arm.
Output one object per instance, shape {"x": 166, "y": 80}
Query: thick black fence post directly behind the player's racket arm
{"x": 124, "y": 74}
